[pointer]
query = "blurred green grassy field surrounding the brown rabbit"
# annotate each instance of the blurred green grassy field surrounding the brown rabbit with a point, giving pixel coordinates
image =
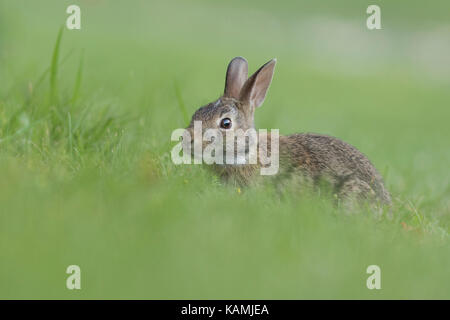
(86, 176)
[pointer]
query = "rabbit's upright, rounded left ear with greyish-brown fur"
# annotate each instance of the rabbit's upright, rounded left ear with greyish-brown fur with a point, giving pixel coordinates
(237, 73)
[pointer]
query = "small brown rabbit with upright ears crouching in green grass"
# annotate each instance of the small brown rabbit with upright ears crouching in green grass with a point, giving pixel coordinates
(307, 158)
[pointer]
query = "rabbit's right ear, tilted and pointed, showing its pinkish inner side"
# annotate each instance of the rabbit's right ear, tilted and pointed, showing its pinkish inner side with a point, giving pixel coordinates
(255, 88)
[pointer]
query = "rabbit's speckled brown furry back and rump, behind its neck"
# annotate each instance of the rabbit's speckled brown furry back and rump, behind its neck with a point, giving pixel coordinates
(324, 157)
